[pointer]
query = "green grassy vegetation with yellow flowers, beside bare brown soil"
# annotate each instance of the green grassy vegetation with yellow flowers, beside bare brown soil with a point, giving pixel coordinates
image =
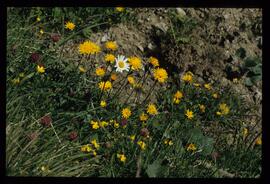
(91, 112)
